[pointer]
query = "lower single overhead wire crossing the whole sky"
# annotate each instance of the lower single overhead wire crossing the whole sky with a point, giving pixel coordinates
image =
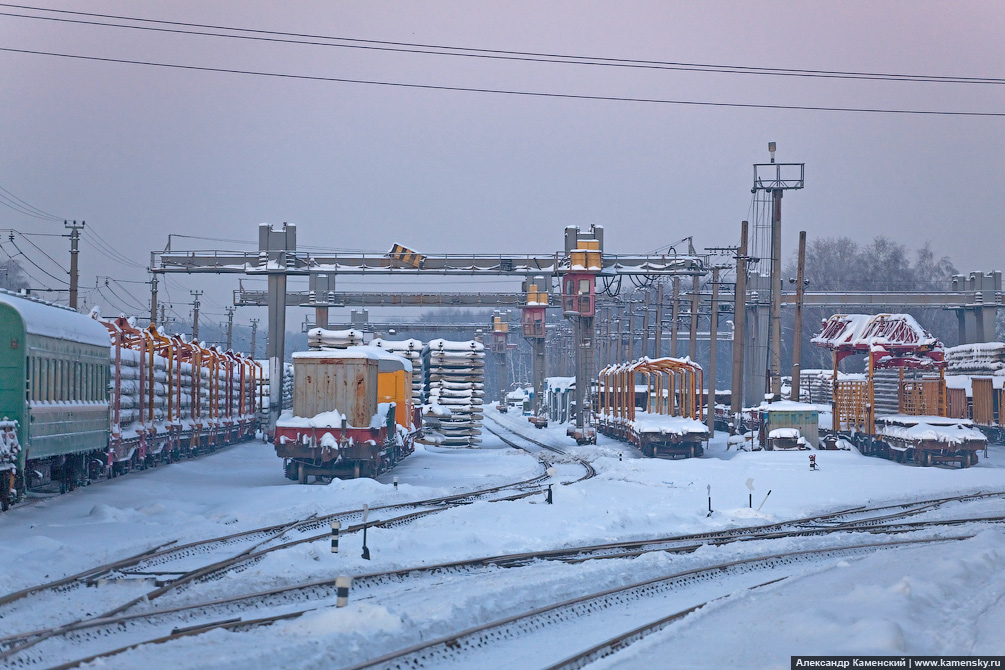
(505, 92)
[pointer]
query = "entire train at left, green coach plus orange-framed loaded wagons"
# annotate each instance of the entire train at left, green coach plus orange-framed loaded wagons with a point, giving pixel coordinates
(87, 399)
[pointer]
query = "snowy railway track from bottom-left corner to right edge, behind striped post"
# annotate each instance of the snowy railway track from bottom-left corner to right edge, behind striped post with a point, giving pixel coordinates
(322, 594)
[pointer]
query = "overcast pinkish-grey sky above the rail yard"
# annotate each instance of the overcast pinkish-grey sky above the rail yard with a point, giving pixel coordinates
(141, 152)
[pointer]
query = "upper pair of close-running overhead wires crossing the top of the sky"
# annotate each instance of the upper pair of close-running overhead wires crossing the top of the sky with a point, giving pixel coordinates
(473, 53)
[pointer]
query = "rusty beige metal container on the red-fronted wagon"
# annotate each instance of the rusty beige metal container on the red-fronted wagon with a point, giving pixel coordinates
(338, 380)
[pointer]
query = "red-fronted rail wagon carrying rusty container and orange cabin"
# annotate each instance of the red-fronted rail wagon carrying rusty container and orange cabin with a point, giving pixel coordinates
(352, 414)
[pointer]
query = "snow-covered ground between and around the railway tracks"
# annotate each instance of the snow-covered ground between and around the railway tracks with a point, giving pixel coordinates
(931, 599)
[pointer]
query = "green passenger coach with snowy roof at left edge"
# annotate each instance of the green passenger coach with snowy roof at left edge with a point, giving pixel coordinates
(55, 383)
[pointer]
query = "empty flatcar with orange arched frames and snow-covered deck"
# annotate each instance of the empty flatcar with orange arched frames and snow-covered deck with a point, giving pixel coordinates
(654, 404)
